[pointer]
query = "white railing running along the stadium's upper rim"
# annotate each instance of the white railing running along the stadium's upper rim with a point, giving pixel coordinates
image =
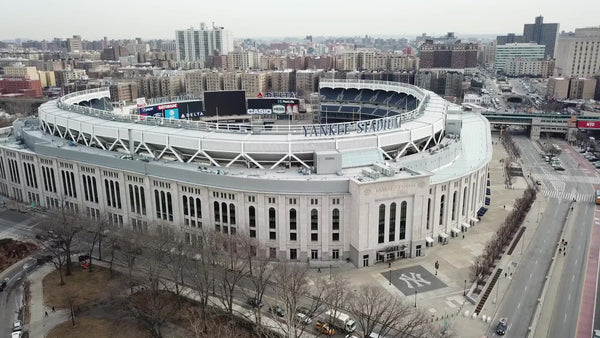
(225, 127)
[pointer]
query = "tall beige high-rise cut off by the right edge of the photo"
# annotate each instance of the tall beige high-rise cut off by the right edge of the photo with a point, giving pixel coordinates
(578, 53)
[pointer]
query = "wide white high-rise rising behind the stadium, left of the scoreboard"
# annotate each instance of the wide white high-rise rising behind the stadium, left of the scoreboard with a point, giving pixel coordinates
(198, 45)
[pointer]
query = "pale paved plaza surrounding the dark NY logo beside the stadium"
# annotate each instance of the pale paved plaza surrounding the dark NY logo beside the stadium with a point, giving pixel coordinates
(455, 259)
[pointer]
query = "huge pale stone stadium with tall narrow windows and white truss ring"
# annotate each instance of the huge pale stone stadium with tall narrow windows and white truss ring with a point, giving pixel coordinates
(390, 170)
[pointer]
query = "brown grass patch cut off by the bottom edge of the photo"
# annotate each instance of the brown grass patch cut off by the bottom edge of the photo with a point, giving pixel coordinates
(91, 327)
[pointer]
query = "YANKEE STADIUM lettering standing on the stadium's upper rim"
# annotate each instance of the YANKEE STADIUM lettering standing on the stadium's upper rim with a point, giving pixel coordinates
(369, 126)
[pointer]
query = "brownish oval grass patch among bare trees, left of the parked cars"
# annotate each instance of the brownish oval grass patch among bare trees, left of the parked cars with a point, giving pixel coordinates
(82, 287)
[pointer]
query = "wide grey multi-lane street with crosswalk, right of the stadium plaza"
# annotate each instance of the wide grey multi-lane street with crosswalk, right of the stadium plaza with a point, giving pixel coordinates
(519, 304)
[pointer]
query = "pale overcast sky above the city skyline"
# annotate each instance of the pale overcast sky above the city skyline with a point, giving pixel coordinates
(148, 19)
